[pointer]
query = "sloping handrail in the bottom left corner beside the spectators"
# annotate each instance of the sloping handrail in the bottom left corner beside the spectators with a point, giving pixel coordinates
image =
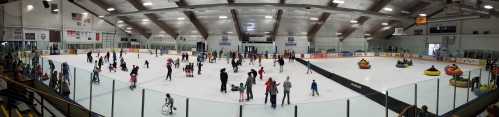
(44, 94)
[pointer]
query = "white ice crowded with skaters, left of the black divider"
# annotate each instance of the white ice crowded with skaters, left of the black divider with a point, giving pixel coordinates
(204, 88)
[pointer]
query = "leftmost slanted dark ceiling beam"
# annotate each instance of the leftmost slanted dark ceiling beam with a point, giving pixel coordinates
(136, 27)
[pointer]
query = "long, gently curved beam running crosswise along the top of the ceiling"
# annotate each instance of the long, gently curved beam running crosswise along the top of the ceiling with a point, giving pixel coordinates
(308, 7)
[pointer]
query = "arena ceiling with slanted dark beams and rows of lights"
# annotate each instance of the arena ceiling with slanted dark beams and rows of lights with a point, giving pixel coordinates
(313, 18)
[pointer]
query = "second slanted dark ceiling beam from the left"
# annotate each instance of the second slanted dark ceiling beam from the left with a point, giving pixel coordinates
(155, 19)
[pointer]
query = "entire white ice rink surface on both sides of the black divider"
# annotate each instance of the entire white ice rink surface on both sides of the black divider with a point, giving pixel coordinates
(203, 90)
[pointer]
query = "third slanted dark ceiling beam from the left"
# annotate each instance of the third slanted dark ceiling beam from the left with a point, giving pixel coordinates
(194, 20)
